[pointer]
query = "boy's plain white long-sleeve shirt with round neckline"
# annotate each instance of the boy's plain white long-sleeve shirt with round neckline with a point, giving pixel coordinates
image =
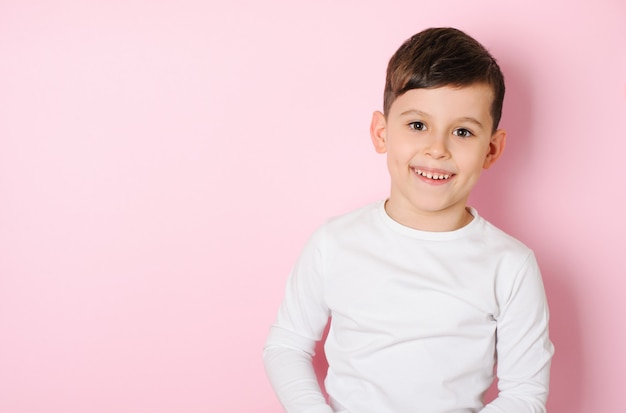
(417, 320)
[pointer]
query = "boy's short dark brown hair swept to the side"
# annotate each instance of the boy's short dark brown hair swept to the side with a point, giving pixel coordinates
(439, 57)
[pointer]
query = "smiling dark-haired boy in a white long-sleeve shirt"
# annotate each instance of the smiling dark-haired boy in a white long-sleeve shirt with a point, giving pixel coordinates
(423, 294)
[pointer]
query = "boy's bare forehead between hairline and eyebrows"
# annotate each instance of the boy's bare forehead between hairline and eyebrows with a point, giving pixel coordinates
(446, 102)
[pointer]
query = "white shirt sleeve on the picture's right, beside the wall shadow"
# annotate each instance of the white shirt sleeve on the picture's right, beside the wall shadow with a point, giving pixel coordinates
(524, 350)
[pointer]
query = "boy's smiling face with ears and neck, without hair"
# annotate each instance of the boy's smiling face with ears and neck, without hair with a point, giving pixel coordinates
(437, 142)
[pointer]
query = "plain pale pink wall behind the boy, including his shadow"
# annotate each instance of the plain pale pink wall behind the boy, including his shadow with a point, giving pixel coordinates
(163, 162)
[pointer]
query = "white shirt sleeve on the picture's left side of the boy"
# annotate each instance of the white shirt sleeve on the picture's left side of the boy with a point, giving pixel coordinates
(300, 323)
